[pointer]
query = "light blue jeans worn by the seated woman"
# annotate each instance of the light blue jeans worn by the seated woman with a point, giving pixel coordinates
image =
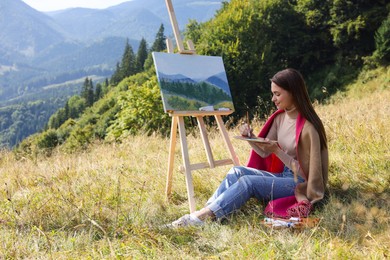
(242, 183)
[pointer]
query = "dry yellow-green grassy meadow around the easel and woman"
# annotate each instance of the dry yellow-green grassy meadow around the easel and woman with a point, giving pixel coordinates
(108, 202)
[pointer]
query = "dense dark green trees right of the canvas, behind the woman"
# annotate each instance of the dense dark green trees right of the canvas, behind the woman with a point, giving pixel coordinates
(328, 41)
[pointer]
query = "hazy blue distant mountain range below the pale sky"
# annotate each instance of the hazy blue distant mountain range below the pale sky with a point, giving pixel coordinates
(39, 49)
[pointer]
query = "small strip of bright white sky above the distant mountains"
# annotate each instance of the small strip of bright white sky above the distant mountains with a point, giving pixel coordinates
(54, 5)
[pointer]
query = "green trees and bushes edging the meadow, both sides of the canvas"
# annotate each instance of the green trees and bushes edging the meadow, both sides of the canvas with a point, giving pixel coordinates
(330, 42)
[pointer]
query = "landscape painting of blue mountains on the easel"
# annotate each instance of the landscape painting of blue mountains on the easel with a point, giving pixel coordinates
(192, 82)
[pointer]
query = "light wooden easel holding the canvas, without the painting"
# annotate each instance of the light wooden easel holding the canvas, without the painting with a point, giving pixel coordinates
(178, 122)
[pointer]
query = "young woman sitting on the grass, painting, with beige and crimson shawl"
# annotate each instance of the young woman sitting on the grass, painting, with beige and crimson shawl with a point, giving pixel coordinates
(294, 168)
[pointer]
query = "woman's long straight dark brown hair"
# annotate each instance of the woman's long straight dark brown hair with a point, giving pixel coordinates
(292, 81)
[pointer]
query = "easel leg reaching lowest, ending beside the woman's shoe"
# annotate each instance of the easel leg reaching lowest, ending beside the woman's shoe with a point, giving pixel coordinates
(184, 150)
